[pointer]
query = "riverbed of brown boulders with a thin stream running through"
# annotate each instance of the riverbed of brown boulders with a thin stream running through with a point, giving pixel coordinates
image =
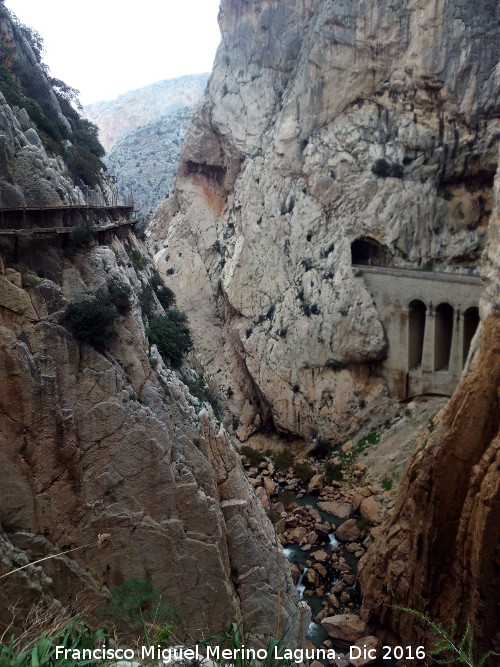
(324, 527)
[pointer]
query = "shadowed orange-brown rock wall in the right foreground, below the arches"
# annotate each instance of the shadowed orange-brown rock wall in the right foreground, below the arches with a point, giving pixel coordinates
(440, 552)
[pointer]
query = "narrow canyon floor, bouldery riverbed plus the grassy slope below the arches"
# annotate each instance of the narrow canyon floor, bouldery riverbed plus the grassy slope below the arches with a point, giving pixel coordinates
(327, 504)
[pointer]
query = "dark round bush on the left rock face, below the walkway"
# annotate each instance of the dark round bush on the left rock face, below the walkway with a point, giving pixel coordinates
(91, 321)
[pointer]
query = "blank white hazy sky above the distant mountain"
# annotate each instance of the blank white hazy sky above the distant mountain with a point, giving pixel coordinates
(106, 47)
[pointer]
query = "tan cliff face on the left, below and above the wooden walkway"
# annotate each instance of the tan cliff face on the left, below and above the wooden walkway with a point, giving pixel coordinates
(111, 441)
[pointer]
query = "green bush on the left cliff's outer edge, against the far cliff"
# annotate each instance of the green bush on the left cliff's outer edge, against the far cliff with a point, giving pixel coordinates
(171, 335)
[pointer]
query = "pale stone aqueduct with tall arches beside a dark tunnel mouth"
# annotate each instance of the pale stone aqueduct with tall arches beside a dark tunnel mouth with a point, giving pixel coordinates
(430, 319)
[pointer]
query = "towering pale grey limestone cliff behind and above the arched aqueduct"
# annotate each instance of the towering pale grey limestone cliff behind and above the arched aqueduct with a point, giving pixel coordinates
(325, 122)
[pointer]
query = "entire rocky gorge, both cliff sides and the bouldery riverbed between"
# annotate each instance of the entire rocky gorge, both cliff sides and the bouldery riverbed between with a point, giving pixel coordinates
(262, 458)
